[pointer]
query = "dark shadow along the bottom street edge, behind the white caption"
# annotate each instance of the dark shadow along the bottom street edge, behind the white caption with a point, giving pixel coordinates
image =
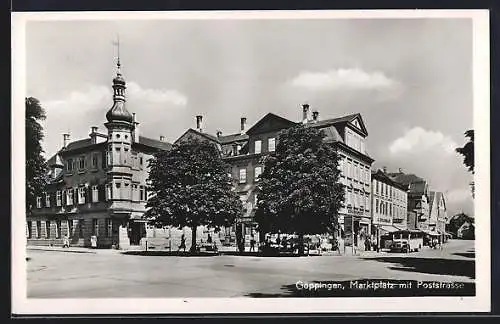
(371, 288)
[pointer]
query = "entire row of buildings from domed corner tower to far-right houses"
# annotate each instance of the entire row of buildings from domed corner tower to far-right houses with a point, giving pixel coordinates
(97, 187)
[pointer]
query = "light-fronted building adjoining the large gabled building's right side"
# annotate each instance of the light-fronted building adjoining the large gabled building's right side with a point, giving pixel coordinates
(389, 204)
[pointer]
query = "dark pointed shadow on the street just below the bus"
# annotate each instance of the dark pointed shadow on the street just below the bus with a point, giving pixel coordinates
(451, 267)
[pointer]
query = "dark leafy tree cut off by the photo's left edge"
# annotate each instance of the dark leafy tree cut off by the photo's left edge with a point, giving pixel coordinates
(36, 166)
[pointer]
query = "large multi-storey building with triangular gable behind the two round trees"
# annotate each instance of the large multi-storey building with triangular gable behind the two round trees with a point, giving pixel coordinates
(243, 152)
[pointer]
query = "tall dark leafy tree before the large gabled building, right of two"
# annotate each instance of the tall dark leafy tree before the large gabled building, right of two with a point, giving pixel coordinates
(299, 190)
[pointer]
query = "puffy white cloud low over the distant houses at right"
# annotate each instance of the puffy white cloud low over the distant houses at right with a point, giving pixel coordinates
(419, 139)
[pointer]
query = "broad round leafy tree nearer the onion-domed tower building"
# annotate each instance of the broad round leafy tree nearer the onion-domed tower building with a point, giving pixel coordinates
(190, 187)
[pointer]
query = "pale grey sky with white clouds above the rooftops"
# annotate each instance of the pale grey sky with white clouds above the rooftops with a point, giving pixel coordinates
(411, 80)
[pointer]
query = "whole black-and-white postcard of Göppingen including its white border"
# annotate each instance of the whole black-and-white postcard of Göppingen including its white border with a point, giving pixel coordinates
(251, 162)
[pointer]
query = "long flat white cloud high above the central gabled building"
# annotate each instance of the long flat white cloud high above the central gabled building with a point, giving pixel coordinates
(340, 79)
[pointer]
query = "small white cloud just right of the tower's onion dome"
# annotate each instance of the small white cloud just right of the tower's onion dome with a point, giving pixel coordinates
(157, 96)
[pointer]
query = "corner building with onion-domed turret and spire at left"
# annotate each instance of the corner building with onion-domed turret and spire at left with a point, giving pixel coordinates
(96, 187)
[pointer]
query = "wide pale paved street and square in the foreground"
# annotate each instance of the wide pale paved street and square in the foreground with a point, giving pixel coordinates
(54, 274)
